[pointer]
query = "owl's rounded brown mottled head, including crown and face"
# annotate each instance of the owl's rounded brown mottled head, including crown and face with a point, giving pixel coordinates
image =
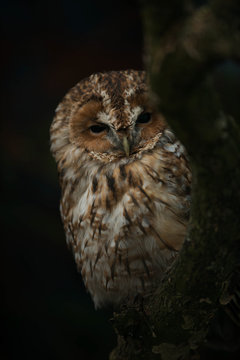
(109, 116)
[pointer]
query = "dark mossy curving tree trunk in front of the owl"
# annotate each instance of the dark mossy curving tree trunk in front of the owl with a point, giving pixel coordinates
(184, 47)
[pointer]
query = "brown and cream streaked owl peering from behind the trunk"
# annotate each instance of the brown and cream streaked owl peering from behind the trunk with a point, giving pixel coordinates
(125, 182)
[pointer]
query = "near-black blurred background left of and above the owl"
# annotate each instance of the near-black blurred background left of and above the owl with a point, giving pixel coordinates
(47, 47)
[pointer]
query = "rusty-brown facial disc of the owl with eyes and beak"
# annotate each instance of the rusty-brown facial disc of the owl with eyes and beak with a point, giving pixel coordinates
(120, 133)
